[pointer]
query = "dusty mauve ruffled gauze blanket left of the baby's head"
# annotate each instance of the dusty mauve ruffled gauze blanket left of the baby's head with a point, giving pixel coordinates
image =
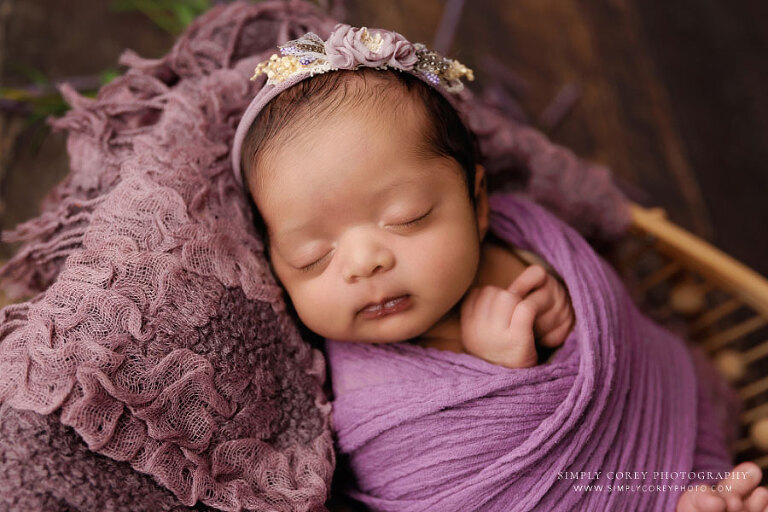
(158, 367)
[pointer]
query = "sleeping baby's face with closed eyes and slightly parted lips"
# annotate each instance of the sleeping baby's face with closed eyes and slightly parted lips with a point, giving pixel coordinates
(355, 216)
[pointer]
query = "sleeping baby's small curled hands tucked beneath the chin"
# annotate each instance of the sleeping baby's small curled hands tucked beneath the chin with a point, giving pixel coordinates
(498, 325)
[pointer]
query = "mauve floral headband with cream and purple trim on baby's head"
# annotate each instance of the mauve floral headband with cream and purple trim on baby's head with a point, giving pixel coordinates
(347, 48)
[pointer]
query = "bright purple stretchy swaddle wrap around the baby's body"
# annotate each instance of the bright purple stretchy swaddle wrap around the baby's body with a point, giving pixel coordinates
(427, 429)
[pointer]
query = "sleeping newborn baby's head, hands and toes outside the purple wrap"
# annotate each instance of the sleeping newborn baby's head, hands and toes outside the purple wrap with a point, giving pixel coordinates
(375, 216)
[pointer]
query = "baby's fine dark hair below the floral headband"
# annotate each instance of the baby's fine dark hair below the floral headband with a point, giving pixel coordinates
(304, 103)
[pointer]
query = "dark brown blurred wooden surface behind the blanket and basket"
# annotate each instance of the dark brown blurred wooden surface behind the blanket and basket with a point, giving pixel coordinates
(672, 93)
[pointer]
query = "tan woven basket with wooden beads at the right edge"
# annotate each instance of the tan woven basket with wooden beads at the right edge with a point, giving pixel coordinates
(715, 301)
